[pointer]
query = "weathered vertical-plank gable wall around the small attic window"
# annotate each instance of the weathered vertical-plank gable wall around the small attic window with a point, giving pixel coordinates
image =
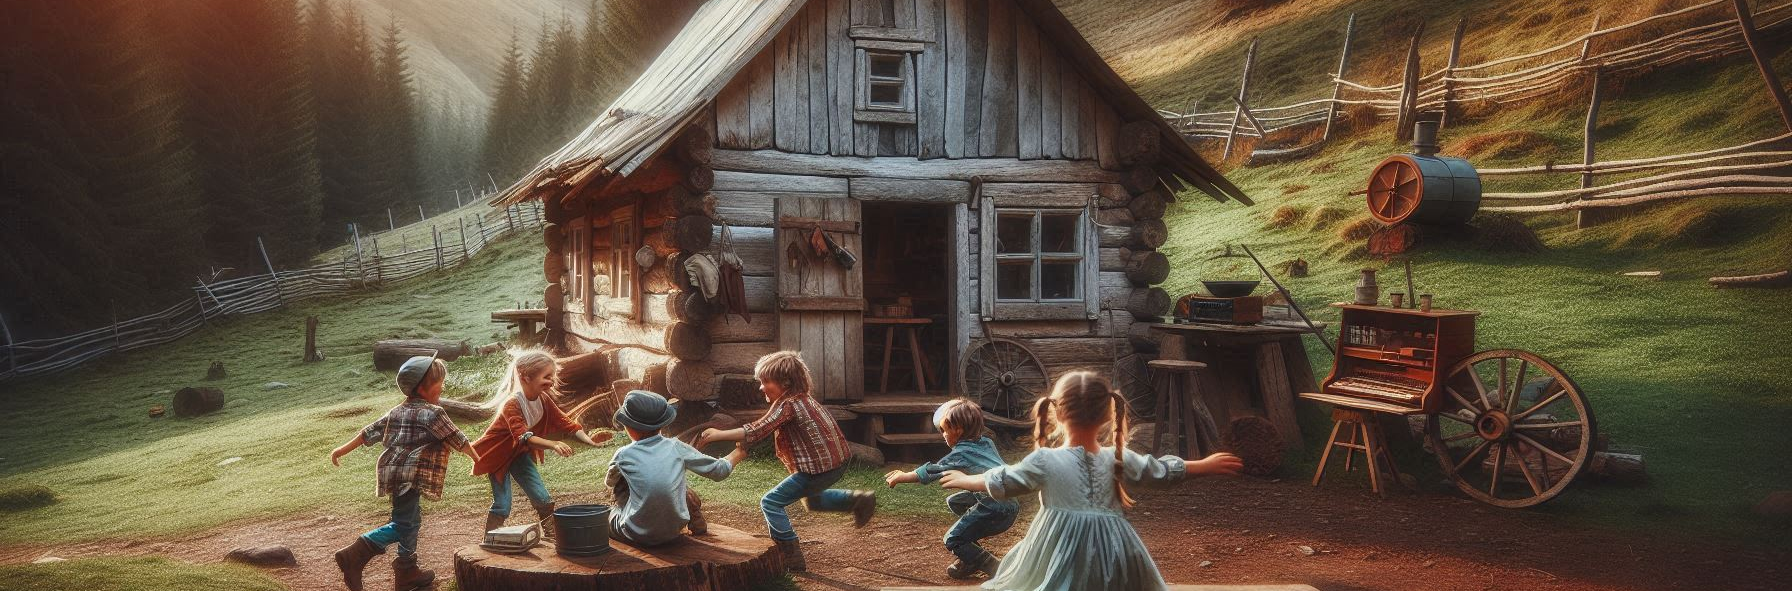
(986, 85)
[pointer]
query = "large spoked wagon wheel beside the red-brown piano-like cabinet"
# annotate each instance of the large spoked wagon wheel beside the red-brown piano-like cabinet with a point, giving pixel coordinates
(1508, 441)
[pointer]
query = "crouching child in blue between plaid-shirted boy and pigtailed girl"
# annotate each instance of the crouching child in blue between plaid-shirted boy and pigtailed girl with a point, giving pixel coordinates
(961, 424)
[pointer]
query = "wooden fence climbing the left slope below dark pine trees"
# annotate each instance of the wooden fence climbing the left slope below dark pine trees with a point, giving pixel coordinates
(361, 270)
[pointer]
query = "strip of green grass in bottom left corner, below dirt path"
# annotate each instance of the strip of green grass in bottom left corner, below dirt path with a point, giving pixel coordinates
(134, 576)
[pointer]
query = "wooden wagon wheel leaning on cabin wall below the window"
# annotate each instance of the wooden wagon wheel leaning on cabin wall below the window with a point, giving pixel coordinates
(1003, 377)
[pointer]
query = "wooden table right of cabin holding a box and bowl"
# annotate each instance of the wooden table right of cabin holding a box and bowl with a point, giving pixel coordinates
(1254, 370)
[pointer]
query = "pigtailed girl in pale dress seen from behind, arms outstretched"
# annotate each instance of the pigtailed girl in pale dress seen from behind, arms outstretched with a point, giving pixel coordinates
(1081, 540)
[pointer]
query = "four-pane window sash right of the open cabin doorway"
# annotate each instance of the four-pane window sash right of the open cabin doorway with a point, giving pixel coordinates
(1038, 255)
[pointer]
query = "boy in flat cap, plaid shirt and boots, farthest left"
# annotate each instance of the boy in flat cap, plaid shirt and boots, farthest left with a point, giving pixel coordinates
(418, 436)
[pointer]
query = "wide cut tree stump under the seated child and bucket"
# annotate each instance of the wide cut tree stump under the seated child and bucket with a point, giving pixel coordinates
(723, 560)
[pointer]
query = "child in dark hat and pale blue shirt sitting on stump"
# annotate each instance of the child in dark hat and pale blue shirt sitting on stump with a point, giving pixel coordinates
(648, 477)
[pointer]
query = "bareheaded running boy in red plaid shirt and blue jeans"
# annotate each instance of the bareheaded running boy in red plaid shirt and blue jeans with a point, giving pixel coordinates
(811, 447)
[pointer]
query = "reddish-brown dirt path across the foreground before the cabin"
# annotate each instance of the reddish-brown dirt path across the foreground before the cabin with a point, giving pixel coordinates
(1250, 531)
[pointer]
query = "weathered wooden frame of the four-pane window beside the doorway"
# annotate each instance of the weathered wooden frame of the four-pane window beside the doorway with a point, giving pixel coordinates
(1087, 302)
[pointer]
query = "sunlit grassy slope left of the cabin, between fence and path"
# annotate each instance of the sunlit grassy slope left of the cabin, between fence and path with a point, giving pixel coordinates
(121, 474)
